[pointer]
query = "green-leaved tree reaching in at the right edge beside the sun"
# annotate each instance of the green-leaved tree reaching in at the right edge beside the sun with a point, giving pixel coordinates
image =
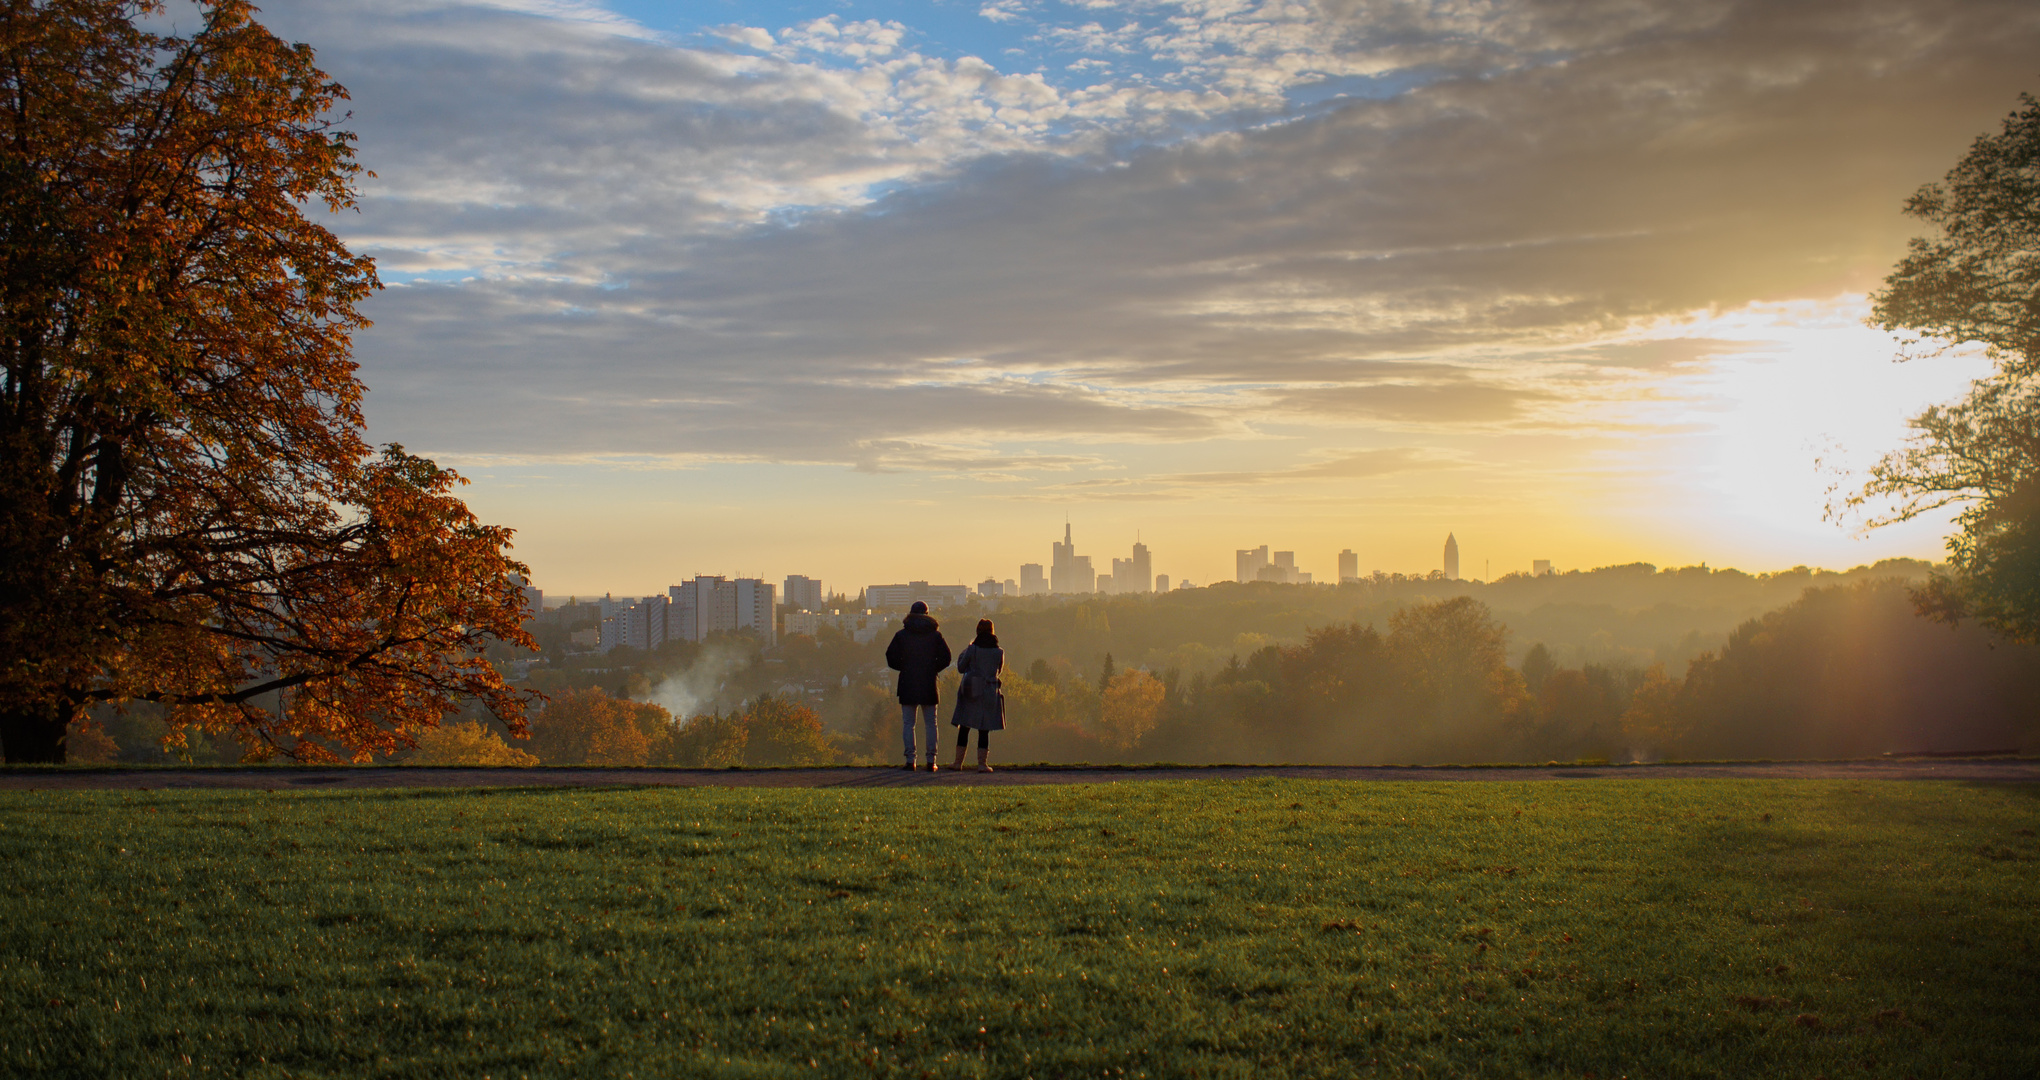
(1978, 283)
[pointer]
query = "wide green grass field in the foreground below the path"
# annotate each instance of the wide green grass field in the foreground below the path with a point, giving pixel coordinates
(1270, 928)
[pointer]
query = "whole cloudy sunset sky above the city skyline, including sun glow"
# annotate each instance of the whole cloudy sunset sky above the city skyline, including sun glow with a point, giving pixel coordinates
(890, 291)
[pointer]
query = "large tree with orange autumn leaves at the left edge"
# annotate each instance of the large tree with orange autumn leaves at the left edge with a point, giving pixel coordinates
(189, 509)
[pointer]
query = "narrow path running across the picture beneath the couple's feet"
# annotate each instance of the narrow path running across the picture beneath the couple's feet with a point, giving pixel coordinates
(2021, 771)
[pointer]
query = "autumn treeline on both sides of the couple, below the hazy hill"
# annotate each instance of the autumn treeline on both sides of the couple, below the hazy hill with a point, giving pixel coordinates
(1845, 671)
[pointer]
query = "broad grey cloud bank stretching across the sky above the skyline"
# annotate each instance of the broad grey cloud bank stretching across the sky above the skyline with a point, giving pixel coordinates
(837, 248)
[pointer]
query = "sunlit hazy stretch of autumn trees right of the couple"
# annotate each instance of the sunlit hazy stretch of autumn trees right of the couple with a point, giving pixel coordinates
(1841, 673)
